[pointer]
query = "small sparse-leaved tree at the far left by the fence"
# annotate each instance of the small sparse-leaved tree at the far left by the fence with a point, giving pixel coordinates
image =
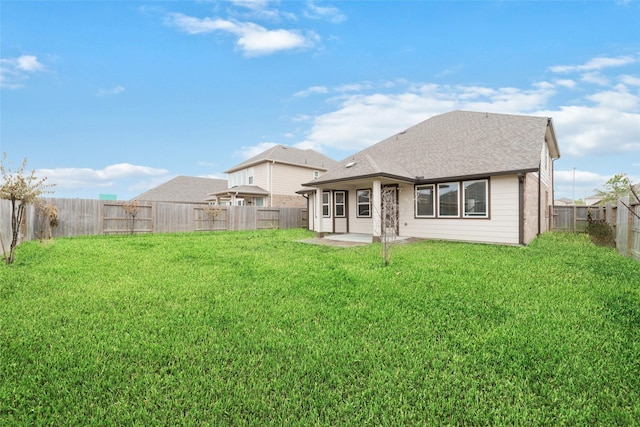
(21, 190)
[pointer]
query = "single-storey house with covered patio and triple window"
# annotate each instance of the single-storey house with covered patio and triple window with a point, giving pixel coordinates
(462, 175)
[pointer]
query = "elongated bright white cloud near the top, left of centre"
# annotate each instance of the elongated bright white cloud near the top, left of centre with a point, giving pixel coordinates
(252, 39)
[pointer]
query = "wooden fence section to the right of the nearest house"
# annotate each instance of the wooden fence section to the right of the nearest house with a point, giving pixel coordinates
(624, 217)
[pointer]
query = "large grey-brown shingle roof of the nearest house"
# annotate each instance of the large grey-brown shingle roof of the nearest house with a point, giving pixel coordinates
(452, 145)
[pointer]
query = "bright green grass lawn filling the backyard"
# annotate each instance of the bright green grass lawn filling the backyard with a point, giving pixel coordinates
(255, 328)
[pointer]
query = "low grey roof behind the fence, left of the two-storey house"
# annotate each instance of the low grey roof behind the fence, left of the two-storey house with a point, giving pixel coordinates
(183, 189)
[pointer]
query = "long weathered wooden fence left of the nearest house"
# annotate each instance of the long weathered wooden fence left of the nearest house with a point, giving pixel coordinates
(77, 217)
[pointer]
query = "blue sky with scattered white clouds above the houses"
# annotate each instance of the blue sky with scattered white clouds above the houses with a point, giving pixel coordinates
(117, 97)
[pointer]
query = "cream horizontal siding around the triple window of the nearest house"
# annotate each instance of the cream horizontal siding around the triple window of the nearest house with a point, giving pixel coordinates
(502, 227)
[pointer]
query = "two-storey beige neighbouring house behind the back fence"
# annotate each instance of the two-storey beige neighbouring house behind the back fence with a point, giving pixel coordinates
(272, 178)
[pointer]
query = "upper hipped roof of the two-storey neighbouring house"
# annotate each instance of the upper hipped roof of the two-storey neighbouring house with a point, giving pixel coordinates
(289, 155)
